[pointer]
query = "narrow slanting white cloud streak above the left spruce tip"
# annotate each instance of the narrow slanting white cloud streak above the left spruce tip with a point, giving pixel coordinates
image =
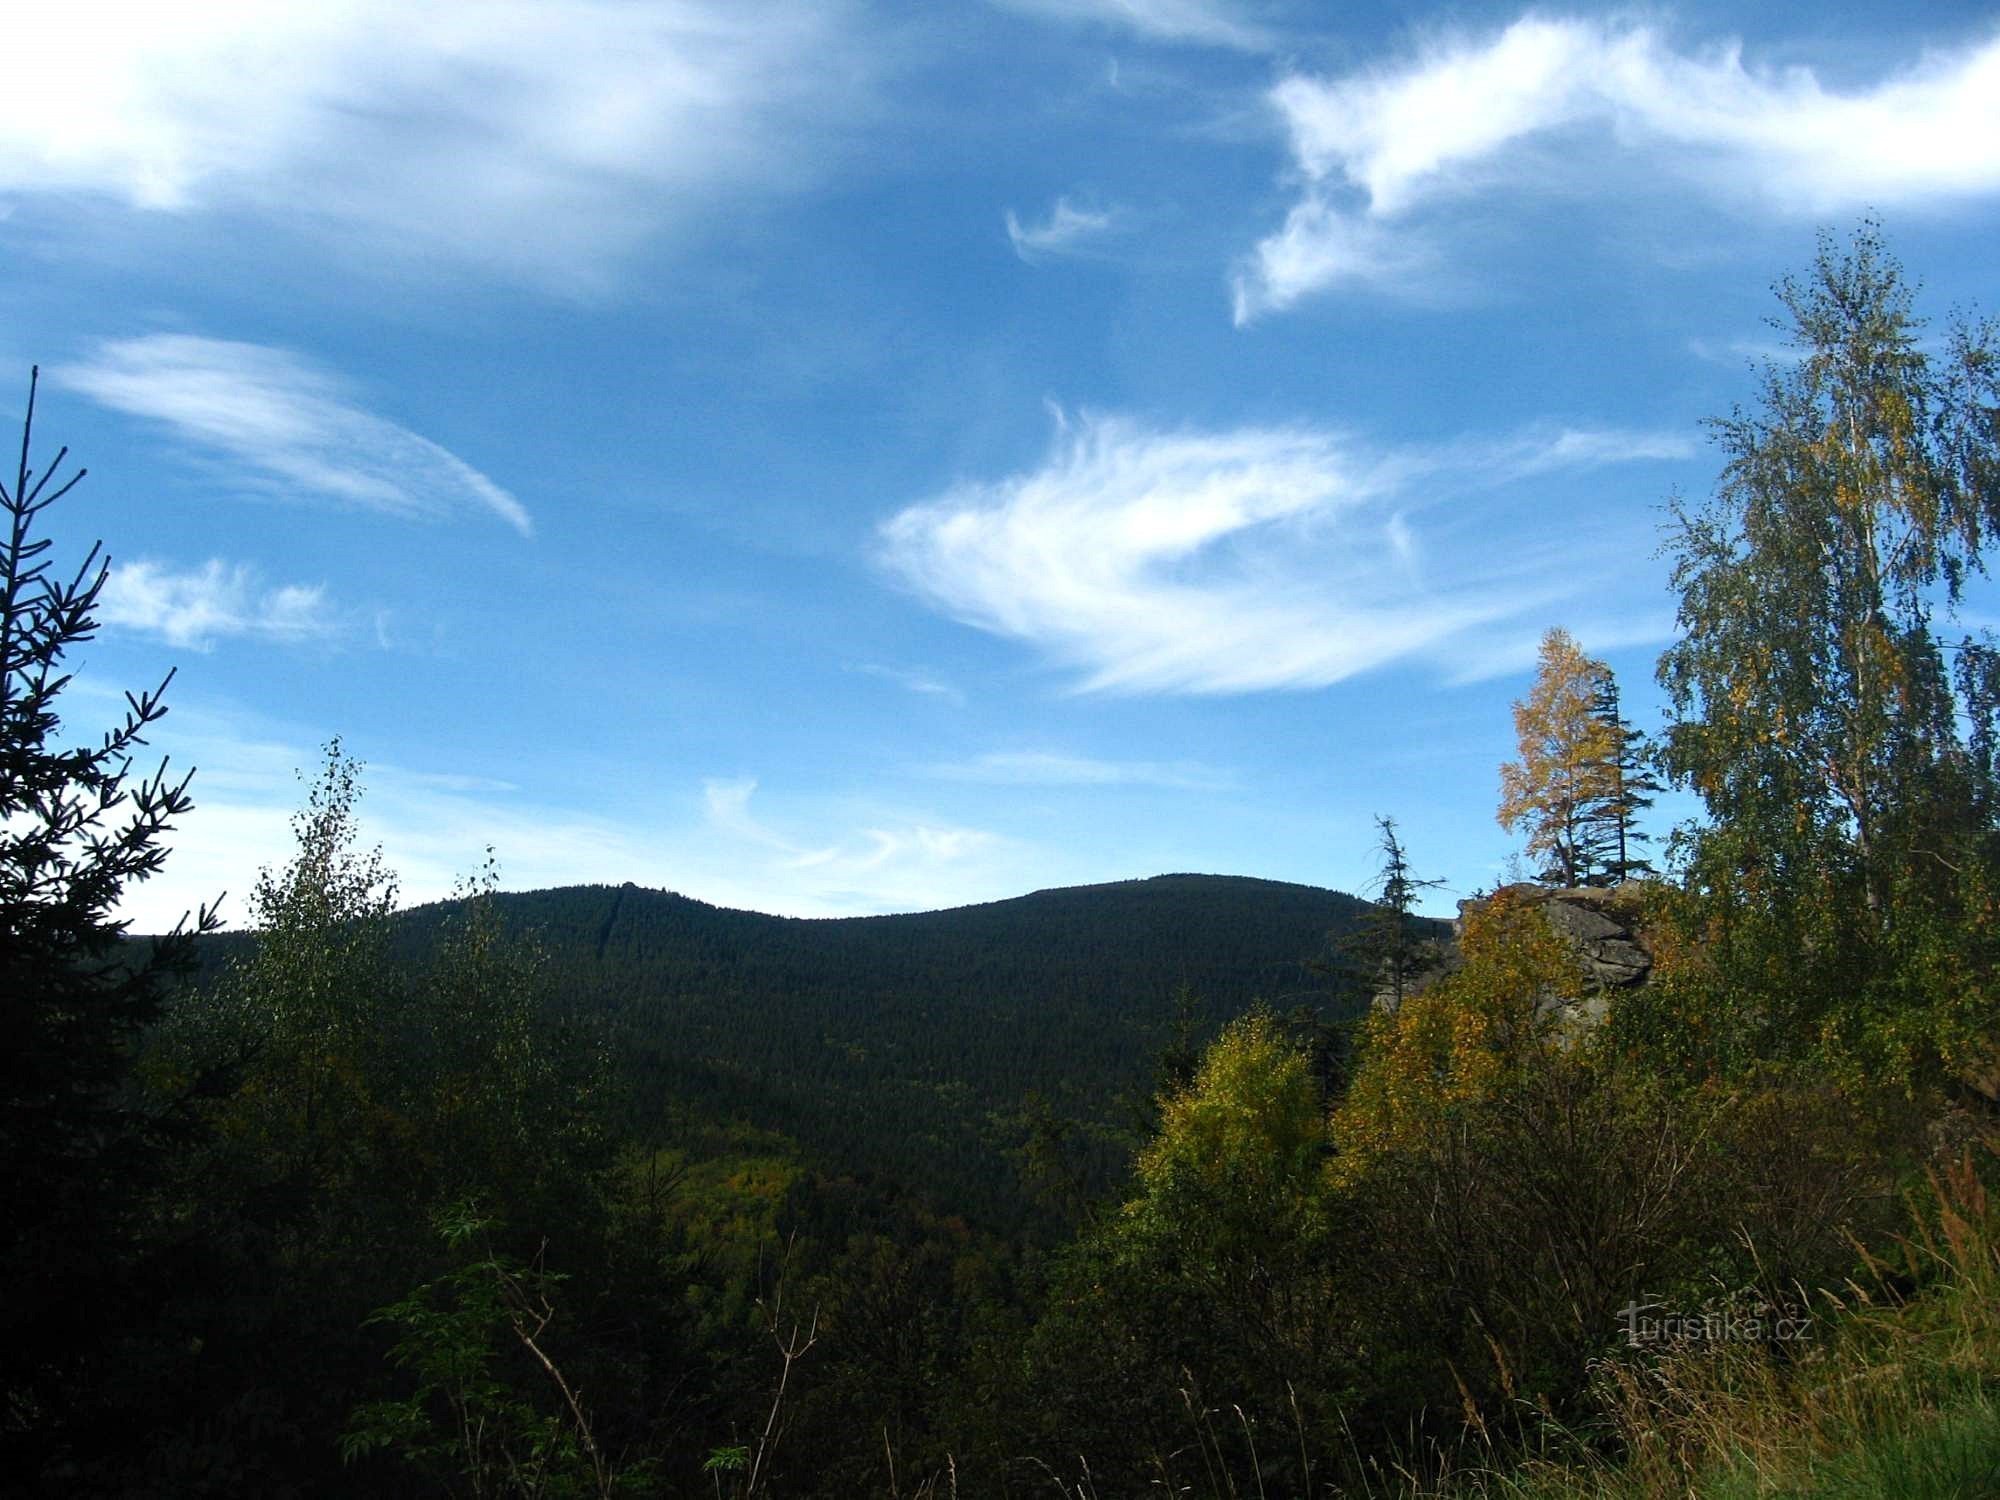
(287, 425)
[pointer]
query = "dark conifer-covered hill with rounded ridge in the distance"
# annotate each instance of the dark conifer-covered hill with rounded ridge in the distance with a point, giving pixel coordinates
(909, 1045)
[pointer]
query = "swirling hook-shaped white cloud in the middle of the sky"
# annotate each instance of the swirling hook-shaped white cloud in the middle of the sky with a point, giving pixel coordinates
(1105, 559)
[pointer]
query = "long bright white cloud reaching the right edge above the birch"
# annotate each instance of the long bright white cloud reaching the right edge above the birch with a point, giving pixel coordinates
(1471, 115)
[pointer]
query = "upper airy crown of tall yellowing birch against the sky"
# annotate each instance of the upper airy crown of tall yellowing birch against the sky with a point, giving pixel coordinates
(1819, 709)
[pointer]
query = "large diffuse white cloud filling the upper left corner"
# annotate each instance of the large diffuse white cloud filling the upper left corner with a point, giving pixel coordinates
(535, 137)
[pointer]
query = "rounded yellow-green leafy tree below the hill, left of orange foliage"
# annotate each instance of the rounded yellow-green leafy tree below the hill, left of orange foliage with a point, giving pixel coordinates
(1217, 1285)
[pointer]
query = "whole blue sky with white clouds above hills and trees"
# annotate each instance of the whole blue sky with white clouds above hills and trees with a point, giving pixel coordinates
(837, 459)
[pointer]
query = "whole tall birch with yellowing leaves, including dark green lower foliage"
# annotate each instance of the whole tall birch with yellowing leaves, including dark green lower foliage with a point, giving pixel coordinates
(1841, 745)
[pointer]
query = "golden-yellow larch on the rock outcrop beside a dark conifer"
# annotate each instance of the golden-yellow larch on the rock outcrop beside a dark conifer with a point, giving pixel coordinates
(1567, 761)
